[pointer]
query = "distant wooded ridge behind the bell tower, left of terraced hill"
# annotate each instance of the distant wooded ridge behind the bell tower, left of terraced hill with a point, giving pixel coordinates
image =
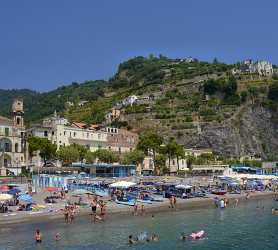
(38, 105)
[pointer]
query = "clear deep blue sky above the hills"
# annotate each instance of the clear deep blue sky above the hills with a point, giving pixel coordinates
(45, 44)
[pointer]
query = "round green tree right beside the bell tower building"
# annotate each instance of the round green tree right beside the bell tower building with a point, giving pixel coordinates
(47, 150)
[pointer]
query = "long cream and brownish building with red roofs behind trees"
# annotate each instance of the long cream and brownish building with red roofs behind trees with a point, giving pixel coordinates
(93, 137)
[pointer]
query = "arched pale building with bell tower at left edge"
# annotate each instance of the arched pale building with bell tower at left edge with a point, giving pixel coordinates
(13, 145)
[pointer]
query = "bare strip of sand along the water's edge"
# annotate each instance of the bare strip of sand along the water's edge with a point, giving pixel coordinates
(115, 211)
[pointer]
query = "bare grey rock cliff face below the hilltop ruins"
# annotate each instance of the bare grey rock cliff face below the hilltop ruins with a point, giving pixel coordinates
(250, 132)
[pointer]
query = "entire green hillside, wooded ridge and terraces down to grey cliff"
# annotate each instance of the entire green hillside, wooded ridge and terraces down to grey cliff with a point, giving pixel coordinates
(199, 103)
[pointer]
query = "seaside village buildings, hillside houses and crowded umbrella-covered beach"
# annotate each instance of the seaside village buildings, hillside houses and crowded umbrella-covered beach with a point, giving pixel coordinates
(33, 183)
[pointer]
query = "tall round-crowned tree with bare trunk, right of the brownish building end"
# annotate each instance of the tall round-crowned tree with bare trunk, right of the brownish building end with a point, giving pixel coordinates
(150, 141)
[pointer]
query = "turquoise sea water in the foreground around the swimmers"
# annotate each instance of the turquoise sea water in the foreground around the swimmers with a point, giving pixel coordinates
(245, 227)
